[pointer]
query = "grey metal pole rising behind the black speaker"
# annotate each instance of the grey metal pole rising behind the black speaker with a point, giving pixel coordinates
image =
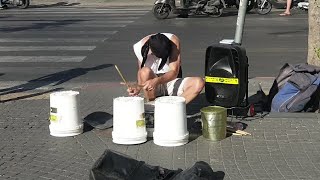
(240, 21)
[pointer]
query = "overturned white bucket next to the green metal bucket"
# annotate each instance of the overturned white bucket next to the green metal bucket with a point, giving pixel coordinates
(170, 121)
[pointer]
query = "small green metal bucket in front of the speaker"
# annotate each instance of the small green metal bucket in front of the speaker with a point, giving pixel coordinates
(214, 122)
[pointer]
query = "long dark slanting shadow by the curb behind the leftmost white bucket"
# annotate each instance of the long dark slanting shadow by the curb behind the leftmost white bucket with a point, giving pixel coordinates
(52, 79)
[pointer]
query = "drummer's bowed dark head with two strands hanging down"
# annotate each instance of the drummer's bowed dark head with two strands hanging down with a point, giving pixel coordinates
(160, 46)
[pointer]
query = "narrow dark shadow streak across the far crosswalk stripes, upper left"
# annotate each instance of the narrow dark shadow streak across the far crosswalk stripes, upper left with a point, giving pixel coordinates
(39, 26)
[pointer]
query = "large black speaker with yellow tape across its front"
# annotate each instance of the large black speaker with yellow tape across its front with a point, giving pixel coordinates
(226, 75)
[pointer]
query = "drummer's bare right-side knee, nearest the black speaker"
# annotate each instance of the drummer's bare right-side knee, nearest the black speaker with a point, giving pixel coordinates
(192, 87)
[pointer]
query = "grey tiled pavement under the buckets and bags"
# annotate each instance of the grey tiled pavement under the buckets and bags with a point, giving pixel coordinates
(282, 146)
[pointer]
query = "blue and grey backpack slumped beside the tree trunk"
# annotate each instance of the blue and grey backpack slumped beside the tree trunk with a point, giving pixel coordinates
(296, 89)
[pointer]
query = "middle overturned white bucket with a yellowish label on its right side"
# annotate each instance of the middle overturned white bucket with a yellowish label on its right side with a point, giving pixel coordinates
(129, 125)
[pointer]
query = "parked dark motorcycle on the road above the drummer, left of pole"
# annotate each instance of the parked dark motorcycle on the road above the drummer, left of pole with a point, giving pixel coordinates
(212, 8)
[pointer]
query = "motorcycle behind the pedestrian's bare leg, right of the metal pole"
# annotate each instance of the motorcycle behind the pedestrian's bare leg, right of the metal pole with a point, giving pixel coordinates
(264, 6)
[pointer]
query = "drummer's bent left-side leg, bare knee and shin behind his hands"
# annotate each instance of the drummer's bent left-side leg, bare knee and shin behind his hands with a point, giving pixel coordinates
(144, 75)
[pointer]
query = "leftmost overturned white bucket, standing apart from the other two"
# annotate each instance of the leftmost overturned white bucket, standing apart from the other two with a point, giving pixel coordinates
(64, 114)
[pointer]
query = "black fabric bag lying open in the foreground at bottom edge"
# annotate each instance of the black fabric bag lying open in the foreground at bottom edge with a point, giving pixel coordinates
(116, 166)
